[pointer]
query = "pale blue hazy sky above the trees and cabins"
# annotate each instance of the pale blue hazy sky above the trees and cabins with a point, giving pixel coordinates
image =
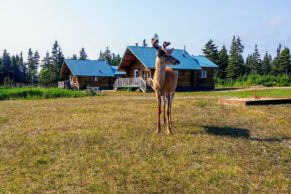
(95, 24)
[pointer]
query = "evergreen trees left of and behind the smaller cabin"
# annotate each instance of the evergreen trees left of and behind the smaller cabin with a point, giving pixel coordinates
(13, 69)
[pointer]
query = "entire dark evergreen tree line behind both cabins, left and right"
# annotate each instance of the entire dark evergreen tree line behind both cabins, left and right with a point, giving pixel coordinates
(232, 65)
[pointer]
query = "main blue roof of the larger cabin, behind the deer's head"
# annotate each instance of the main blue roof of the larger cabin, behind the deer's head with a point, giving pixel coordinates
(147, 56)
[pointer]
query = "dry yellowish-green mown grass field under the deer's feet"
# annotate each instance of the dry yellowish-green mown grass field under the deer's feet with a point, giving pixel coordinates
(106, 144)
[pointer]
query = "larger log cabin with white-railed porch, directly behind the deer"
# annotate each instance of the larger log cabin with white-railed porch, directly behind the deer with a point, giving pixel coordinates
(194, 72)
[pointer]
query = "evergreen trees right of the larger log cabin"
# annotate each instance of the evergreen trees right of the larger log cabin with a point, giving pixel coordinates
(233, 66)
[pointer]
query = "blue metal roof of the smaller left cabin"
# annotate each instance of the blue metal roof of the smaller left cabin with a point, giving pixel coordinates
(94, 68)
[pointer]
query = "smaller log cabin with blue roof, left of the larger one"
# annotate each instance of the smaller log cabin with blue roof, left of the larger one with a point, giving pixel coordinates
(84, 74)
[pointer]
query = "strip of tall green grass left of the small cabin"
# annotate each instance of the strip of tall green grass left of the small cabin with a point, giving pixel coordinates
(39, 93)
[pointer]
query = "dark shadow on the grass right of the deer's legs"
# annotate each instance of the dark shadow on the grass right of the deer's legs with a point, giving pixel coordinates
(239, 133)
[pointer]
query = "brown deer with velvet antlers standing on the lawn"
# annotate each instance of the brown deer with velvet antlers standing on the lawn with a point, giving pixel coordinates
(164, 82)
